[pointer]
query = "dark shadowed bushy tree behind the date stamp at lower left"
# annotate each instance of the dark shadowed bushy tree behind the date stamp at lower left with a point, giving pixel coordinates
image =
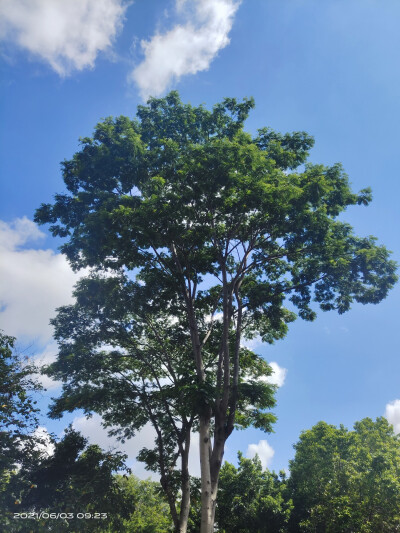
(76, 478)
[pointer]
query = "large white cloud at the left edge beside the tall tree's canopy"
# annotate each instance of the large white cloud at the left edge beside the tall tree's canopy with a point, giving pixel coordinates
(33, 283)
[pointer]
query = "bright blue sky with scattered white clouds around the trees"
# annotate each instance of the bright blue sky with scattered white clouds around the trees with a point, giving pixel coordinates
(329, 68)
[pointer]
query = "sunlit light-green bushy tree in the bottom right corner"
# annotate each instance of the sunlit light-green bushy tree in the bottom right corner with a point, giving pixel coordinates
(343, 481)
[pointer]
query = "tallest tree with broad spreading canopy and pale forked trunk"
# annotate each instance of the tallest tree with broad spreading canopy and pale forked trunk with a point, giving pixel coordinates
(214, 220)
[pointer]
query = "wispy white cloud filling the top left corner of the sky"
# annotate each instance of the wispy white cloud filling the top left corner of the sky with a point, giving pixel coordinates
(67, 34)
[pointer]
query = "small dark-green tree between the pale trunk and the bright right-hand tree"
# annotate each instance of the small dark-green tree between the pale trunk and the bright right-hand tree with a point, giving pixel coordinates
(251, 500)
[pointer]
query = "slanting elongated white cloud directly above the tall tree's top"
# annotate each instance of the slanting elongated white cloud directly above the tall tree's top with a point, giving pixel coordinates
(187, 48)
